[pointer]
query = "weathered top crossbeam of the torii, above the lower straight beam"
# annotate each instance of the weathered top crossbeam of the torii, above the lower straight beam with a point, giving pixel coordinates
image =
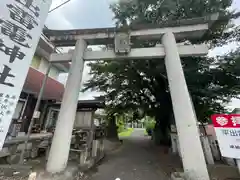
(180, 28)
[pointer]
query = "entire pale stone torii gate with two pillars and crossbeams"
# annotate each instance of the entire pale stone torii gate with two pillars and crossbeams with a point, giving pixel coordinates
(190, 146)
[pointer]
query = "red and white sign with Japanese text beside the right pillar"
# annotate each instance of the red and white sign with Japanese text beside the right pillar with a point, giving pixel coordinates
(227, 128)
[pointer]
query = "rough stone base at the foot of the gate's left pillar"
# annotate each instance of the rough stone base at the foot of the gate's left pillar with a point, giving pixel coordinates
(69, 174)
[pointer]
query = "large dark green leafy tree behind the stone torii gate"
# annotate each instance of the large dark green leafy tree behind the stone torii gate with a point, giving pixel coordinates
(132, 85)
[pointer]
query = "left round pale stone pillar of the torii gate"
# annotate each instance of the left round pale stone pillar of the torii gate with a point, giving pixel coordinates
(59, 152)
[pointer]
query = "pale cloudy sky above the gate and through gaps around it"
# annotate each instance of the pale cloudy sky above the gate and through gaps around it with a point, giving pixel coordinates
(96, 14)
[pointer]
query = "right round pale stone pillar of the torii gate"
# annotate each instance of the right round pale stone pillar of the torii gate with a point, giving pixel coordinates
(190, 145)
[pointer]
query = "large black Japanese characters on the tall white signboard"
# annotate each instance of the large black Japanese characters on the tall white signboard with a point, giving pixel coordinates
(18, 29)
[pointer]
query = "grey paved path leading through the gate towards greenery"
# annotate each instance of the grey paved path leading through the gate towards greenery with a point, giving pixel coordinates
(133, 161)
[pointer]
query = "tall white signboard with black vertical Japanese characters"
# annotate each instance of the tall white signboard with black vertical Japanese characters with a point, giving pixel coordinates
(21, 24)
